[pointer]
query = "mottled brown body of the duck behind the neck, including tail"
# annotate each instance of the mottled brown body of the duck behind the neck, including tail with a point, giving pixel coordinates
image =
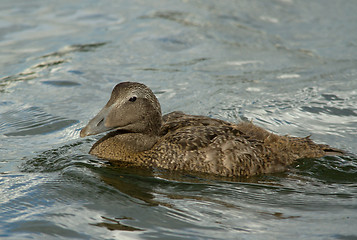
(202, 144)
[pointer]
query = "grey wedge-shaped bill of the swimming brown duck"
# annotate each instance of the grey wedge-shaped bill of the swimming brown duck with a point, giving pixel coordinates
(97, 124)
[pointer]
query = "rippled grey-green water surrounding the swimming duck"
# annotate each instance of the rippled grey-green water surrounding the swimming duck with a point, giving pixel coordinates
(289, 65)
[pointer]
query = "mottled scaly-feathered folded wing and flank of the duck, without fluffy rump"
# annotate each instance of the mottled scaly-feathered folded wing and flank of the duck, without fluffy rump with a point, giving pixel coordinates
(202, 144)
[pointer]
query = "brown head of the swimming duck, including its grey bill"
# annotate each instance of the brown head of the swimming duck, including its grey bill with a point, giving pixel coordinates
(132, 108)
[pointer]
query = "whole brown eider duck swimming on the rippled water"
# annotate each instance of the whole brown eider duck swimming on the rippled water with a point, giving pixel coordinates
(141, 136)
